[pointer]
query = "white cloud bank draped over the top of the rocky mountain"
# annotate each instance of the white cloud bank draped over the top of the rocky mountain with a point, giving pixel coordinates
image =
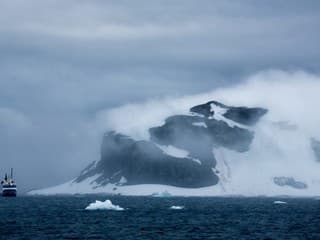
(289, 97)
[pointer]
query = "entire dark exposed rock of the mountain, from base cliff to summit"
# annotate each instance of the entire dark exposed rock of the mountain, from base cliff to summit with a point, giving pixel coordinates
(127, 161)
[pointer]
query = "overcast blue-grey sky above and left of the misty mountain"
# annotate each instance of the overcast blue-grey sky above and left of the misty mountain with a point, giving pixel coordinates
(62, 63)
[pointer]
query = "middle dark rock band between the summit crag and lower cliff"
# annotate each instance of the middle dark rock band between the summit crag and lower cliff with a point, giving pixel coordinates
(182, 132)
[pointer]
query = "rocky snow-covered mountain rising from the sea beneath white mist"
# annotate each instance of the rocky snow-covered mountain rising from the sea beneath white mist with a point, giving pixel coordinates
(213, 149)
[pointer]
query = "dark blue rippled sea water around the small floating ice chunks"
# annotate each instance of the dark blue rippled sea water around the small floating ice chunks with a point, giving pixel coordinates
(150, 218)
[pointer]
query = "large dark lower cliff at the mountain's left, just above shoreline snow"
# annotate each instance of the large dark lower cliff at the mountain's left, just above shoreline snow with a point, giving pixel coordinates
(143, 162)
